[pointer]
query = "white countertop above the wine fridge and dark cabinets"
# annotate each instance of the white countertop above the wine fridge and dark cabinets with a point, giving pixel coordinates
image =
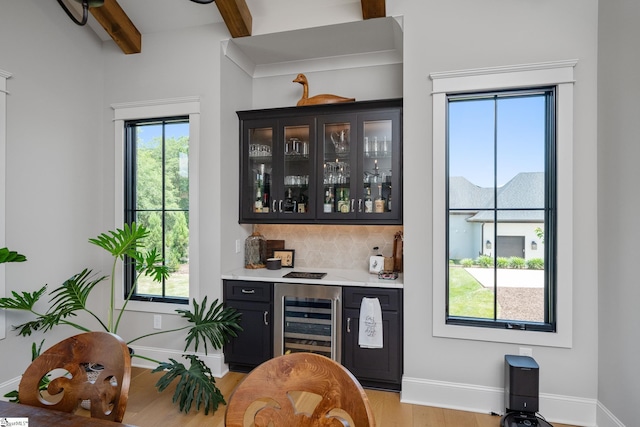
(335, 277)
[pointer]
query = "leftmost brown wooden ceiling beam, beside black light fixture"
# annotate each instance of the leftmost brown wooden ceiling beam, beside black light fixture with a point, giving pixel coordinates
(118, 25)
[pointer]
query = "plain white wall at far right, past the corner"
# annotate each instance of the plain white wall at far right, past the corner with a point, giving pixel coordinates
(618, 231)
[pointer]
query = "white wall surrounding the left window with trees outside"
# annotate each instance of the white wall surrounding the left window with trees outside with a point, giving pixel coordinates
(173, 65)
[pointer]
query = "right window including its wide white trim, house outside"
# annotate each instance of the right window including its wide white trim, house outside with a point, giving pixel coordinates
(502, 186)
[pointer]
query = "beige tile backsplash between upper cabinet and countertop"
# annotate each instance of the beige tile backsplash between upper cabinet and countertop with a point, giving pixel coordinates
(333, 246)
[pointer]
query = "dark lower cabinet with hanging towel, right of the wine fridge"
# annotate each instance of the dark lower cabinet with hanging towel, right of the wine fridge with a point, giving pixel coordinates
(374, 367)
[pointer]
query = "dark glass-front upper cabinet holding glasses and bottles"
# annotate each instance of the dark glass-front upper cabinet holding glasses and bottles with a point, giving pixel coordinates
(336, 164)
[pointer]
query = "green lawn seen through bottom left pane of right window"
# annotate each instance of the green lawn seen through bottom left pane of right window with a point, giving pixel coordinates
(467, 297)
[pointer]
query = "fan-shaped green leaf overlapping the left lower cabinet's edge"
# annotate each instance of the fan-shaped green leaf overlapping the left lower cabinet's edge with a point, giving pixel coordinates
(215, 327)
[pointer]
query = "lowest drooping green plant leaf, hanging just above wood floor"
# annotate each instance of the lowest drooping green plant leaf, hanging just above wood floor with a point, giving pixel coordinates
(195, 384)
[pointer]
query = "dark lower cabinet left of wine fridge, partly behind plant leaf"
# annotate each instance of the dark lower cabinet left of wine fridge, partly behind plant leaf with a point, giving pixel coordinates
(254, 344)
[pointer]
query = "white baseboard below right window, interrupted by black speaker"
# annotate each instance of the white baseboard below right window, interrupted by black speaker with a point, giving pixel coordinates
(473, 398)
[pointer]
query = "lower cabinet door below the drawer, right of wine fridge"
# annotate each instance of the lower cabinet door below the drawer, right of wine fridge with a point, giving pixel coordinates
(374, 367)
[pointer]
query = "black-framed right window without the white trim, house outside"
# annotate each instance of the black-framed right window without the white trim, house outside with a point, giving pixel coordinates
(501, 209)
